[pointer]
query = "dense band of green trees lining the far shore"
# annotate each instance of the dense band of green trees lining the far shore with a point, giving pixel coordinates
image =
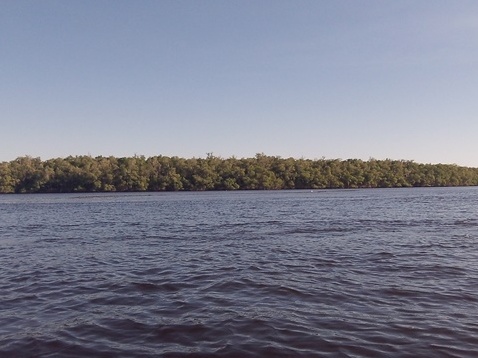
(161, 173)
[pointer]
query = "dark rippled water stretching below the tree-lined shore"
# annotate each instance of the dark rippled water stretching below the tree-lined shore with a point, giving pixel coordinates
(359, 273)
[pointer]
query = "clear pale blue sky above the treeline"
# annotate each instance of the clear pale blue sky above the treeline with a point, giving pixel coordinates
(336, 79)
